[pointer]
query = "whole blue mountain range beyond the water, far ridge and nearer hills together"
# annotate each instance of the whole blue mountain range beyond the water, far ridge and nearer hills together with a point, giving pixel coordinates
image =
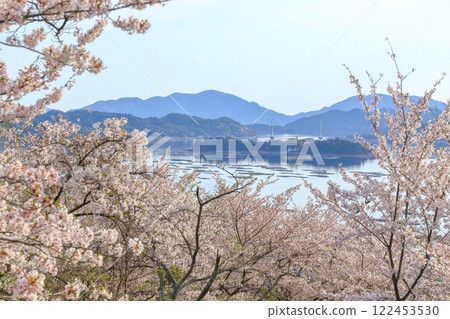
(219, 114)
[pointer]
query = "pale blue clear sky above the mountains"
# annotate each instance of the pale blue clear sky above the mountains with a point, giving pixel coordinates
(286, 55)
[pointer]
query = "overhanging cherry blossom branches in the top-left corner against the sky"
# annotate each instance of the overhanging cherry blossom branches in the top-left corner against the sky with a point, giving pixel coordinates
(56, 33)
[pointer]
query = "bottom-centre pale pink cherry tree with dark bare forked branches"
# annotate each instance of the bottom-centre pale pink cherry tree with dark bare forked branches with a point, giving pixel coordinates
(229, 244)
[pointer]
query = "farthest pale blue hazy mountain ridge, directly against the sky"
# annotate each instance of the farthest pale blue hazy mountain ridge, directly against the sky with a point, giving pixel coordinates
(214, 104)
